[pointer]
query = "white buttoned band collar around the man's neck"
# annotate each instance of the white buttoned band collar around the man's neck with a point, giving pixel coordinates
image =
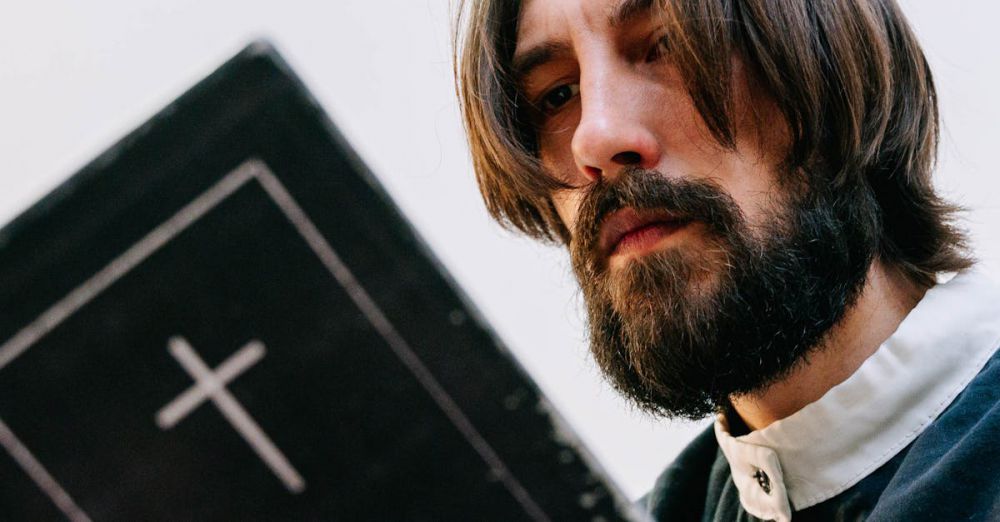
(858, 425)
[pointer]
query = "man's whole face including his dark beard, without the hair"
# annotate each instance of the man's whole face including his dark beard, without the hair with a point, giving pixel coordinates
(699, 263)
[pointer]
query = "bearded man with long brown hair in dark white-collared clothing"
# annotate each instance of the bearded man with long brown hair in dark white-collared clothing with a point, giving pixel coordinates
(744, 187)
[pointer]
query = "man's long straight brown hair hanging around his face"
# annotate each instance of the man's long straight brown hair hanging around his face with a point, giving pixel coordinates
(848, 76)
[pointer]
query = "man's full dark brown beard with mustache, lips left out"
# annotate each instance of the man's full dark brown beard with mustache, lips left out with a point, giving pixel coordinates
(681, 330)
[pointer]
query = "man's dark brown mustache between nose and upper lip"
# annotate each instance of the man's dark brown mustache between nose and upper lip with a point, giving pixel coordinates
(684, 198)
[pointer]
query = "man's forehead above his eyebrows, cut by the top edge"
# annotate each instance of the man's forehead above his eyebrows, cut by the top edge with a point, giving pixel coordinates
(545, 20)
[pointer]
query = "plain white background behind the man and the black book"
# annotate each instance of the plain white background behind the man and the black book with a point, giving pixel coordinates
(77, 76)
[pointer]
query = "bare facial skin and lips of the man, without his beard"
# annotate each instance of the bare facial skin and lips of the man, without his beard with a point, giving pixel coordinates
(609, 97)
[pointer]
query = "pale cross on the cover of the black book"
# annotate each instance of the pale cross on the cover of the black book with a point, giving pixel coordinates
(212, 385)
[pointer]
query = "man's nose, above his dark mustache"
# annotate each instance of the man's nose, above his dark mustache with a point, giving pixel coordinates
(614, 130)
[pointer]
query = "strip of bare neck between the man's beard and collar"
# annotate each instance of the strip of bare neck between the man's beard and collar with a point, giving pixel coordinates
(885, 300)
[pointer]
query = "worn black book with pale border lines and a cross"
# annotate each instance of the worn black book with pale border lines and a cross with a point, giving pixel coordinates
(225, 317)
